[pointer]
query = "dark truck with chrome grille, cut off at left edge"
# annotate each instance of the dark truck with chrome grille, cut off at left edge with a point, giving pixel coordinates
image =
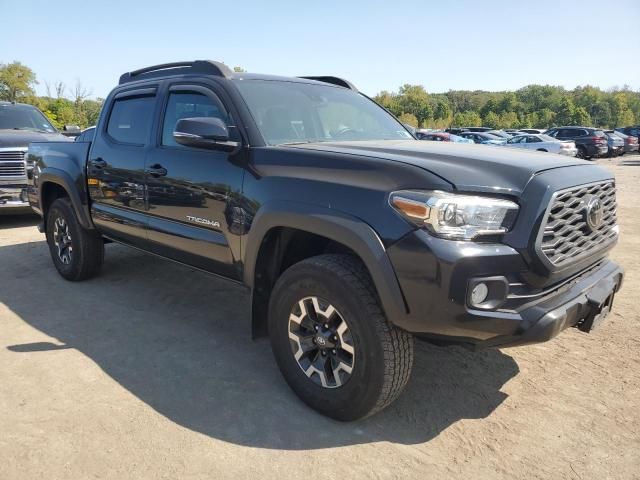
(20, 124)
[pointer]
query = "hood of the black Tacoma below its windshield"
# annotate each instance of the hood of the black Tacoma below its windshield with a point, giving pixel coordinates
(467, 167)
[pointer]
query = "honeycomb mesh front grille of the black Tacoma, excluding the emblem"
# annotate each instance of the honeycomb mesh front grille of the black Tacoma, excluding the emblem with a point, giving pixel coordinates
(566, 236)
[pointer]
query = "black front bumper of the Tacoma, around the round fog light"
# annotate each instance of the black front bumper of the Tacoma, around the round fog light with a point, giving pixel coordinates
(434, 277)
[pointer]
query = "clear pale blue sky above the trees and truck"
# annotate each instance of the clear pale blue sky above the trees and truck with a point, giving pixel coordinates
(378, 45)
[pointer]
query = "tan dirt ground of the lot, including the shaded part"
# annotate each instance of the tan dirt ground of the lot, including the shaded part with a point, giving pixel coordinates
(148, 372)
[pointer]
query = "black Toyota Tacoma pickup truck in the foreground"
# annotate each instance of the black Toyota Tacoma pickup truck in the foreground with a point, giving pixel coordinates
(352, 236)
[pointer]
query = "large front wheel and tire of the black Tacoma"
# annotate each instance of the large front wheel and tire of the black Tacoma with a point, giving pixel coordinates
(331, 339)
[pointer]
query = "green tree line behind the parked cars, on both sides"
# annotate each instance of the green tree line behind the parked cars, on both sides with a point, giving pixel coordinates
(533, 106)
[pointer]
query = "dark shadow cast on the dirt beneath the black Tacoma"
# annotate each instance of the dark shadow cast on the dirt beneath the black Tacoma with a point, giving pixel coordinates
(179, 340)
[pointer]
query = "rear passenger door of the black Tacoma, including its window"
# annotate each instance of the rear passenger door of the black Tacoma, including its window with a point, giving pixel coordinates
(115, 168)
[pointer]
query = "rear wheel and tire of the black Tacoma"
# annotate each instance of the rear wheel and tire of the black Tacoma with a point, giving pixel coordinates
(77, 253)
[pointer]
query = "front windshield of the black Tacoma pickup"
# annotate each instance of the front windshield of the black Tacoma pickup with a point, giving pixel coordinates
(296, 112)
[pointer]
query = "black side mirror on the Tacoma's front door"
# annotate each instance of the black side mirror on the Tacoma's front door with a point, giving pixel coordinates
(204, 132)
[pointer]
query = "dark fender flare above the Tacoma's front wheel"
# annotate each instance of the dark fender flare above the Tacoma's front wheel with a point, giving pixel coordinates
(350, 231)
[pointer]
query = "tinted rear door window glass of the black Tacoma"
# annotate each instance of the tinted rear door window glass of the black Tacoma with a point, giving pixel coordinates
(130, 120)
